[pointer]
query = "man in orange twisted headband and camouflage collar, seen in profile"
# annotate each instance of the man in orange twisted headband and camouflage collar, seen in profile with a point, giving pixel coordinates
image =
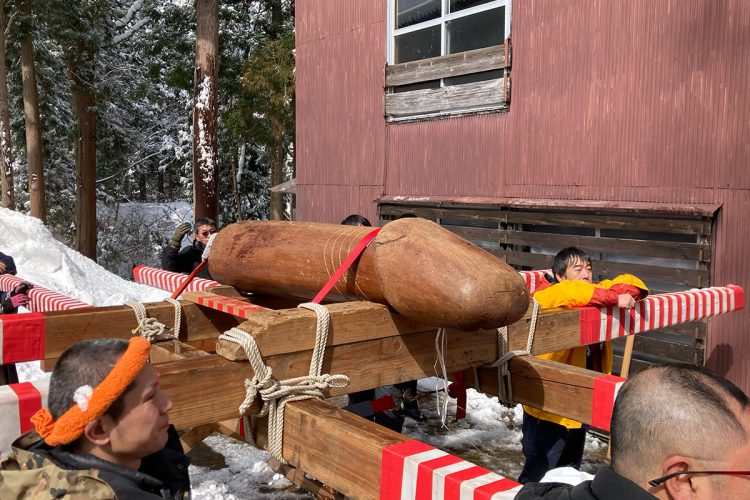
(106, 433)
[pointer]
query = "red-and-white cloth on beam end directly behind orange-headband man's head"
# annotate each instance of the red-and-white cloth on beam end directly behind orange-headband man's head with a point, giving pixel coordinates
(18, 402)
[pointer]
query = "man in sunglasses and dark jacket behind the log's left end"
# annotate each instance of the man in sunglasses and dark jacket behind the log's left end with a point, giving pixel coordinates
(187, 259)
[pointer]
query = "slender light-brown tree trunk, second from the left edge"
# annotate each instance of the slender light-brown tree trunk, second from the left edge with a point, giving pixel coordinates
(33, 127)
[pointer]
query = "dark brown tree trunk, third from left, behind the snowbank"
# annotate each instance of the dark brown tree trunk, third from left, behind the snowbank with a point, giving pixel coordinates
(83, 111)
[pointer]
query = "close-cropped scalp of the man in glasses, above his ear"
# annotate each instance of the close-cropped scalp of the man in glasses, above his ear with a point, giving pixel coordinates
(674, 410)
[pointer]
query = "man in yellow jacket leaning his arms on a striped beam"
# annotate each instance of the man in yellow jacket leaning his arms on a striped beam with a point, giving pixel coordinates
(550, 440)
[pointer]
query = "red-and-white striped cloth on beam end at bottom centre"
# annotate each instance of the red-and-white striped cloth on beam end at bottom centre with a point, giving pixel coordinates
(413, 470)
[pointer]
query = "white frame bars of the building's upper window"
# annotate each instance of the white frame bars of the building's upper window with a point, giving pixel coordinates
(441, 20)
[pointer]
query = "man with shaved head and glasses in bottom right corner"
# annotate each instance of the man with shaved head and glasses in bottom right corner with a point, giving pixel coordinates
(678, 432)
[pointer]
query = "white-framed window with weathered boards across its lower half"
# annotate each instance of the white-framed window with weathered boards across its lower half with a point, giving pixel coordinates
(435, 44)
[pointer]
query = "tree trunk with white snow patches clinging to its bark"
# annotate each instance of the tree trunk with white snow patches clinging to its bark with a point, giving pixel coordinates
(205, 158)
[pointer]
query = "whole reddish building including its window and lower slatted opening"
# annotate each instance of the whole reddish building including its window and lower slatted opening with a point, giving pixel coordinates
(622, 126)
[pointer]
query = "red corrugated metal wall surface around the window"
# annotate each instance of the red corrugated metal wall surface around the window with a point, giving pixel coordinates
(617, 100)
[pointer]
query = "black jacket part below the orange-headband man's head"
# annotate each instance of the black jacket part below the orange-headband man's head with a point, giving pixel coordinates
(163, 474)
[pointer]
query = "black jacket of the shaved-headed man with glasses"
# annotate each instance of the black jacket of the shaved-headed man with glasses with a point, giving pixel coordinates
(606, 485)
